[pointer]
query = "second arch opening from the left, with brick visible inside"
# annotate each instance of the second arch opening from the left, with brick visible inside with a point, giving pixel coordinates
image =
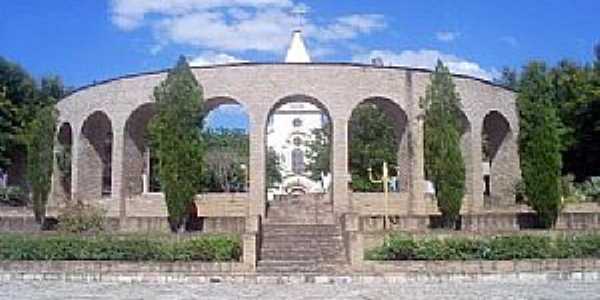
(94, 162)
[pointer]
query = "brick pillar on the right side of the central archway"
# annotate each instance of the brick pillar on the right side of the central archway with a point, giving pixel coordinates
(341, 176)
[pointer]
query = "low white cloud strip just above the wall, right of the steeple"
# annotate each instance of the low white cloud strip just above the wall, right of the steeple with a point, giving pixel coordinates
(427, 59)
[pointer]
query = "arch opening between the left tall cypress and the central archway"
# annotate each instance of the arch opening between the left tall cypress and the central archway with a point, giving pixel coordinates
(233, 176)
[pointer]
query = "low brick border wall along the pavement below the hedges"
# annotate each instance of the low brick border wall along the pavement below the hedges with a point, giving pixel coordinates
(369, 273)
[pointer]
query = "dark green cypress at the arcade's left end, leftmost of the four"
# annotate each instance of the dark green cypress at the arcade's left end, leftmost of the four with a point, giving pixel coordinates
(40, 136)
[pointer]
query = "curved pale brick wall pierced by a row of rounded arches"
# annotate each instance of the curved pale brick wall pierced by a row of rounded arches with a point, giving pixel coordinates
(338, 88)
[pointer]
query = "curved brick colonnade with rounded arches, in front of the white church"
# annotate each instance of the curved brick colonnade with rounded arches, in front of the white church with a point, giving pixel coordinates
(108, 121)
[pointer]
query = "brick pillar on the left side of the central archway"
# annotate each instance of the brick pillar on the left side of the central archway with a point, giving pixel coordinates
(257, 164)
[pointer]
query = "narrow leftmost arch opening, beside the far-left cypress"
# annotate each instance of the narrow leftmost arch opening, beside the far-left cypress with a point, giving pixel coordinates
(63, 154)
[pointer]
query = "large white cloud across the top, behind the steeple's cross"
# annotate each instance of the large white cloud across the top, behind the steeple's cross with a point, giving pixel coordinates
(234, 25)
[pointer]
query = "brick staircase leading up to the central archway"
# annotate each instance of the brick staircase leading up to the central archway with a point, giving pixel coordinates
(299, 236)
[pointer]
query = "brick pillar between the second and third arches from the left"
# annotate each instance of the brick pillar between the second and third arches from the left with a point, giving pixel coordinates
(118, 149)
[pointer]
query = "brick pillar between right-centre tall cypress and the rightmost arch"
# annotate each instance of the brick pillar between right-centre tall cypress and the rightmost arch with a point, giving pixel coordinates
(476, 178)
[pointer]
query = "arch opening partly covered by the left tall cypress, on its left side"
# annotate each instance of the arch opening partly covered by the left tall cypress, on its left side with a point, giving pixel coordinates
(136, 155)
